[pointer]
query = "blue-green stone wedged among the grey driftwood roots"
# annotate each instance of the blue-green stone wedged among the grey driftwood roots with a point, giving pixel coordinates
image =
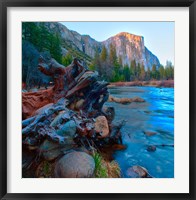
(67, 129)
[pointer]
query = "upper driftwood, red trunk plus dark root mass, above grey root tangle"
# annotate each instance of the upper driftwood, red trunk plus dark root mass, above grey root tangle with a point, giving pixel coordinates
(68, 81)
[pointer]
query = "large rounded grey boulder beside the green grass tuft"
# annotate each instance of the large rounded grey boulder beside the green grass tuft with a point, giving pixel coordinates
(75, 165)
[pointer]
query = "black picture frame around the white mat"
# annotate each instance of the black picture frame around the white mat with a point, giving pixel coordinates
(96, 3)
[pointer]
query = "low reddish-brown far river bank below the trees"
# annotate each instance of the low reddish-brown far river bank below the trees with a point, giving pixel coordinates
(154, 83)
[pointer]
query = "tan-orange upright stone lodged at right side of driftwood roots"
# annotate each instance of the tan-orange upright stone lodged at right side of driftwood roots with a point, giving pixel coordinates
(101, 126)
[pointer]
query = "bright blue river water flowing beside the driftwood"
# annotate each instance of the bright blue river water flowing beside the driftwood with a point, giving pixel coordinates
(157, 115)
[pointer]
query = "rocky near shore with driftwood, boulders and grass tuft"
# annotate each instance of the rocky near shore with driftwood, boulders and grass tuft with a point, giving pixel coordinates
(66, 129)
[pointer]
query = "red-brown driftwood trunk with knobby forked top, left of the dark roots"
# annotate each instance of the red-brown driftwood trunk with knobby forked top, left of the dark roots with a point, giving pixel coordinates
(65, 78)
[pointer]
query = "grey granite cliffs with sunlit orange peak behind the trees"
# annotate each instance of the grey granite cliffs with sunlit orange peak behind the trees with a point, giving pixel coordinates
(128, 46)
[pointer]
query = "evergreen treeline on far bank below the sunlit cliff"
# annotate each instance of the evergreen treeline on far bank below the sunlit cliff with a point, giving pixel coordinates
(111, 68)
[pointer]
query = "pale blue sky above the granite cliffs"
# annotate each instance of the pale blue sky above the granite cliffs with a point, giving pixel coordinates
(158, 36)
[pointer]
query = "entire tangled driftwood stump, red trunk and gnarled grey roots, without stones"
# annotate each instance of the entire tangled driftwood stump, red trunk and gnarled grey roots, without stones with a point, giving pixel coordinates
(46, 112)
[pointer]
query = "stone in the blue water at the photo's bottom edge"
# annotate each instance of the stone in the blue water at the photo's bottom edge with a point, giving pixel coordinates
(137, 172)
